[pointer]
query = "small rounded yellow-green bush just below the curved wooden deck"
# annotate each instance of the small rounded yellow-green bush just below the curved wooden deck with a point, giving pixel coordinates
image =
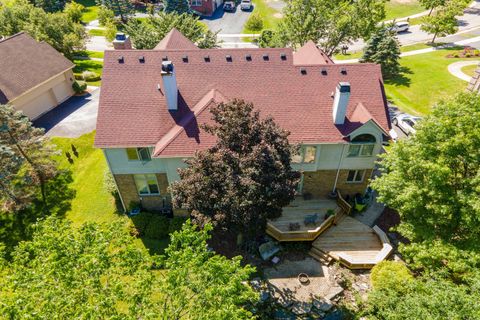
(390, 274)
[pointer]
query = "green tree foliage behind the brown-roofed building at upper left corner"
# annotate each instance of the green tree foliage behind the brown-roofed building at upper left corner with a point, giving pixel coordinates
(57, 29)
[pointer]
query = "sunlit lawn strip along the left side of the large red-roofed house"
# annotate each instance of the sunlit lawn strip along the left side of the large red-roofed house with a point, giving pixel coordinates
(93, 201)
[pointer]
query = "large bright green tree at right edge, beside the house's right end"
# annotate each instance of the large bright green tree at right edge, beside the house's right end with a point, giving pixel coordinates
(432, 178)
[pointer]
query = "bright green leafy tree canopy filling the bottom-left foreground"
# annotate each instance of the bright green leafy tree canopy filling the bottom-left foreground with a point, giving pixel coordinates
(98, 271)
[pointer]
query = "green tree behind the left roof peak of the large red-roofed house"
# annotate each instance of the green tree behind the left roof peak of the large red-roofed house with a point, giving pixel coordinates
(147, 34)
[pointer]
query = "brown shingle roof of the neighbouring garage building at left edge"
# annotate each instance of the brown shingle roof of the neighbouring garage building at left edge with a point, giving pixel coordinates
(26, 63)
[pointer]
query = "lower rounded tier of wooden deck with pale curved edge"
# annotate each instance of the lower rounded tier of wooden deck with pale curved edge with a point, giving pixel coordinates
(353, 243)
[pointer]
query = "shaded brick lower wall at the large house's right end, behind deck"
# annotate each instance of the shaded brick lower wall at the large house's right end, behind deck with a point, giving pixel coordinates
(320, 183)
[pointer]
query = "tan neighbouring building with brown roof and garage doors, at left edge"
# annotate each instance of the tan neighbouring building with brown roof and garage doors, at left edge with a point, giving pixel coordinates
(34, 77)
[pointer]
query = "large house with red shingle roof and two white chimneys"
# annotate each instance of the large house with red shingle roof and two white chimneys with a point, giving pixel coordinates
(153, 102)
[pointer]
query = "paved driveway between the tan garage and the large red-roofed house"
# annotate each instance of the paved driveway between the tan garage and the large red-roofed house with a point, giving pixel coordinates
(72, 118)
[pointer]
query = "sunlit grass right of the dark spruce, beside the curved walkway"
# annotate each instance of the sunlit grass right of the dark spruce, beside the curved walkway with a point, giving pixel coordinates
(425, 81)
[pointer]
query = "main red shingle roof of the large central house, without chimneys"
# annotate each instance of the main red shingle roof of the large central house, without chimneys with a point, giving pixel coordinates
(133, 112)
